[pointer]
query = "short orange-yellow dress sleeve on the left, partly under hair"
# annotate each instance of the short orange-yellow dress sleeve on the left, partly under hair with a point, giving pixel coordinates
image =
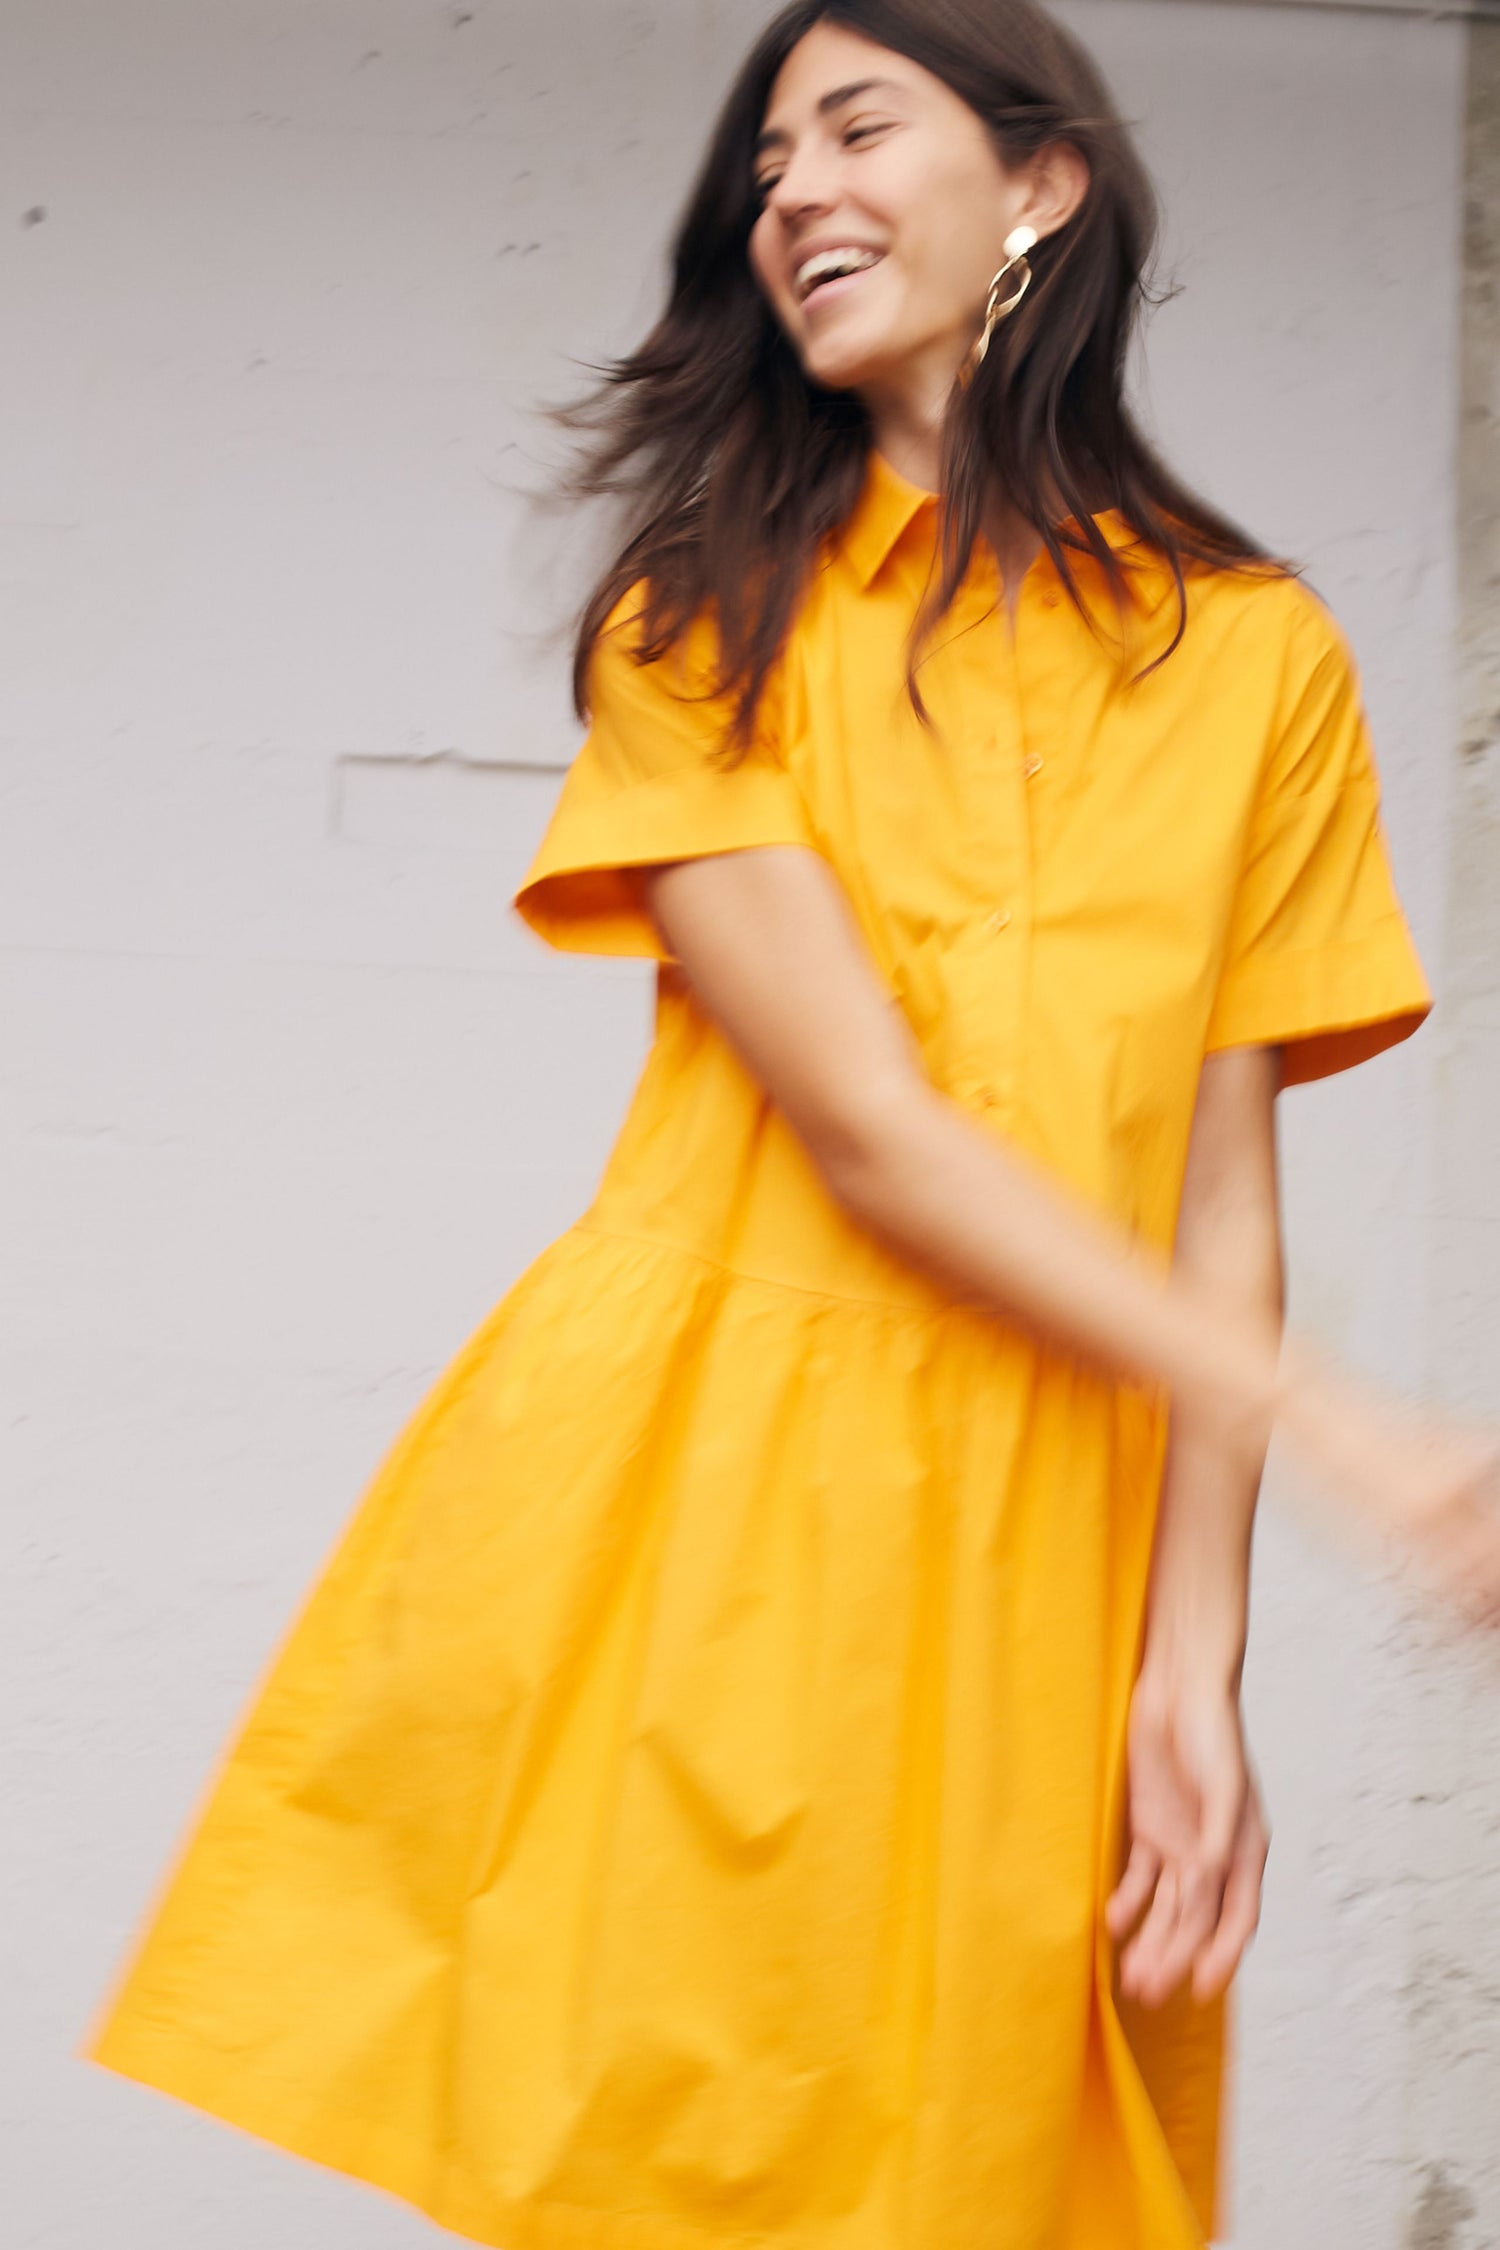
(644, 789)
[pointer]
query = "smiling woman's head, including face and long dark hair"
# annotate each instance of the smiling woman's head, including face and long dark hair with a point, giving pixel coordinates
(921, 136)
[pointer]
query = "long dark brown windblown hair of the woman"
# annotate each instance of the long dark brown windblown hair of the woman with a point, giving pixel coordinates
(737, 467)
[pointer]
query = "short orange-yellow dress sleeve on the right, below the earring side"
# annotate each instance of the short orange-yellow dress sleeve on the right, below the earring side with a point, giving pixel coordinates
(1319, 953)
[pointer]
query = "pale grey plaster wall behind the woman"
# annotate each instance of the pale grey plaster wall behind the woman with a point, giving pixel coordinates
(287, 1095)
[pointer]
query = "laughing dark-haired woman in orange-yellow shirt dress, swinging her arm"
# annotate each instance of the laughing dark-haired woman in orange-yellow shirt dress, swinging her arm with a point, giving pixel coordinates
(766, 1758)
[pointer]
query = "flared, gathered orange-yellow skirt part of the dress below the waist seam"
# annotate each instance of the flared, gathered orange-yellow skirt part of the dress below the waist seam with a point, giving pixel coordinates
(683, 1810)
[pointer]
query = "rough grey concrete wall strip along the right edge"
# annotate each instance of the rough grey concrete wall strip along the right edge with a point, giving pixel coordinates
(1454, 1965)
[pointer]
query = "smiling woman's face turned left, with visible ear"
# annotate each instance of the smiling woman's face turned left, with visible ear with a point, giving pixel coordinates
(869, 152)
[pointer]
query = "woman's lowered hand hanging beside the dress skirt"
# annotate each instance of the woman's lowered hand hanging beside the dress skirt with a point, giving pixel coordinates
(1198, 1842)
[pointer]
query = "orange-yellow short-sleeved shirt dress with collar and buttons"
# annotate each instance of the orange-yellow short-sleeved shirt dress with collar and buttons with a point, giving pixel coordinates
(683, 1810)
